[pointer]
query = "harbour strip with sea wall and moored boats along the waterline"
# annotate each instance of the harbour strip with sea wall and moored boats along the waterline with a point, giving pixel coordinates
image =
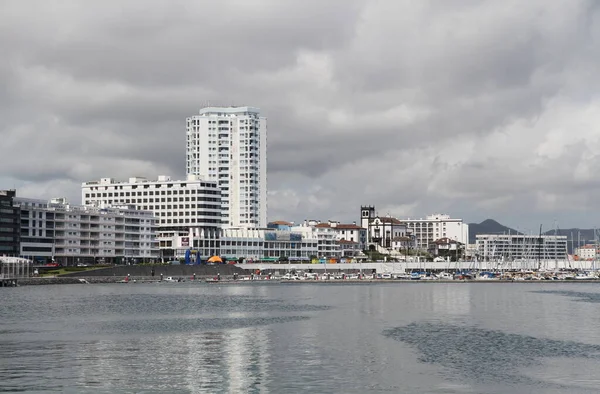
(18, 271)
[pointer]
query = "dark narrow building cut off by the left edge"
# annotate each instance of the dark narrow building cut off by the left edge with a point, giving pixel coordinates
(9, 224)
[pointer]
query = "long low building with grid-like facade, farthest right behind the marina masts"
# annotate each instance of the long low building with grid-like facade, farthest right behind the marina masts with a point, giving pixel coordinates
(509, 247)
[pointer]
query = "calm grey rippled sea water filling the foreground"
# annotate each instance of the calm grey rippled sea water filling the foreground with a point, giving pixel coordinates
(321, 338)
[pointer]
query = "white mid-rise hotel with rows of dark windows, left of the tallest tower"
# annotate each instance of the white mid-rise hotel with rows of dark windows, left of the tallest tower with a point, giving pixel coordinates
(183, 208)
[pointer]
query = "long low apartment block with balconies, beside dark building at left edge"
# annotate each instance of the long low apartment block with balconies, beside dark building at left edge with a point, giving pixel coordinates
(72, 234)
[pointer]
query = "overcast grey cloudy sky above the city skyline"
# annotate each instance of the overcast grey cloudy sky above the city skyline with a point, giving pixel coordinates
(473, 108)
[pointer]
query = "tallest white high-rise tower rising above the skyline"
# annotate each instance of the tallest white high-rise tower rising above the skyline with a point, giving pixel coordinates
(228, 145)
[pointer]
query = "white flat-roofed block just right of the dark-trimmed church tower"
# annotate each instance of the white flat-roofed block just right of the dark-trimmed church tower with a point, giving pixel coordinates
(437, 226)
